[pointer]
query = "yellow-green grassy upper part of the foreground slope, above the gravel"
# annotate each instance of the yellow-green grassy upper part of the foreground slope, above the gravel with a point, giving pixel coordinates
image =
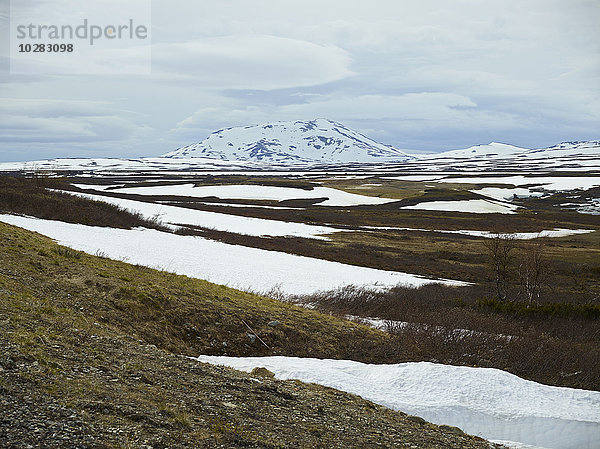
(177, 313)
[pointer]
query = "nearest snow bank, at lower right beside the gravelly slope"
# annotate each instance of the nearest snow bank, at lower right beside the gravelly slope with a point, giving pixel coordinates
(486, 402)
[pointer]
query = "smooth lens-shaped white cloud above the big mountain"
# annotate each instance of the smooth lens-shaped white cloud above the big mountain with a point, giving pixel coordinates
(251, 62)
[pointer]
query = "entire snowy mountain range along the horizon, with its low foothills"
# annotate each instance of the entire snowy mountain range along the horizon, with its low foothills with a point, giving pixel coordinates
(296, 147)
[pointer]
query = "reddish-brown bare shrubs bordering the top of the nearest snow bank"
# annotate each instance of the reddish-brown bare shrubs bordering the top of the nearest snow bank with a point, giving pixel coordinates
(554, 343)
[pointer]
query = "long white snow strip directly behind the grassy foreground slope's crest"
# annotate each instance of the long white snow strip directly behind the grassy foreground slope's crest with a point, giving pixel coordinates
(236, 266)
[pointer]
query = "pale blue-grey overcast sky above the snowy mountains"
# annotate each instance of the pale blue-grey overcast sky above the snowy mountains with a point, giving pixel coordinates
(422, 76)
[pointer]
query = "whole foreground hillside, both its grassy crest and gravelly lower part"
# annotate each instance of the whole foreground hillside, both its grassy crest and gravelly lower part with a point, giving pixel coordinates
(91, 355)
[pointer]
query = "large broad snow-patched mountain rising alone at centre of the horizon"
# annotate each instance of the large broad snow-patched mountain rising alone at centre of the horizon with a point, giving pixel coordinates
(318, 140)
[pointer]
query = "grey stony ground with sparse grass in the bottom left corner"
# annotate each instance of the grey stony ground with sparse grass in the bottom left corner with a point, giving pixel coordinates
(117, 392)
